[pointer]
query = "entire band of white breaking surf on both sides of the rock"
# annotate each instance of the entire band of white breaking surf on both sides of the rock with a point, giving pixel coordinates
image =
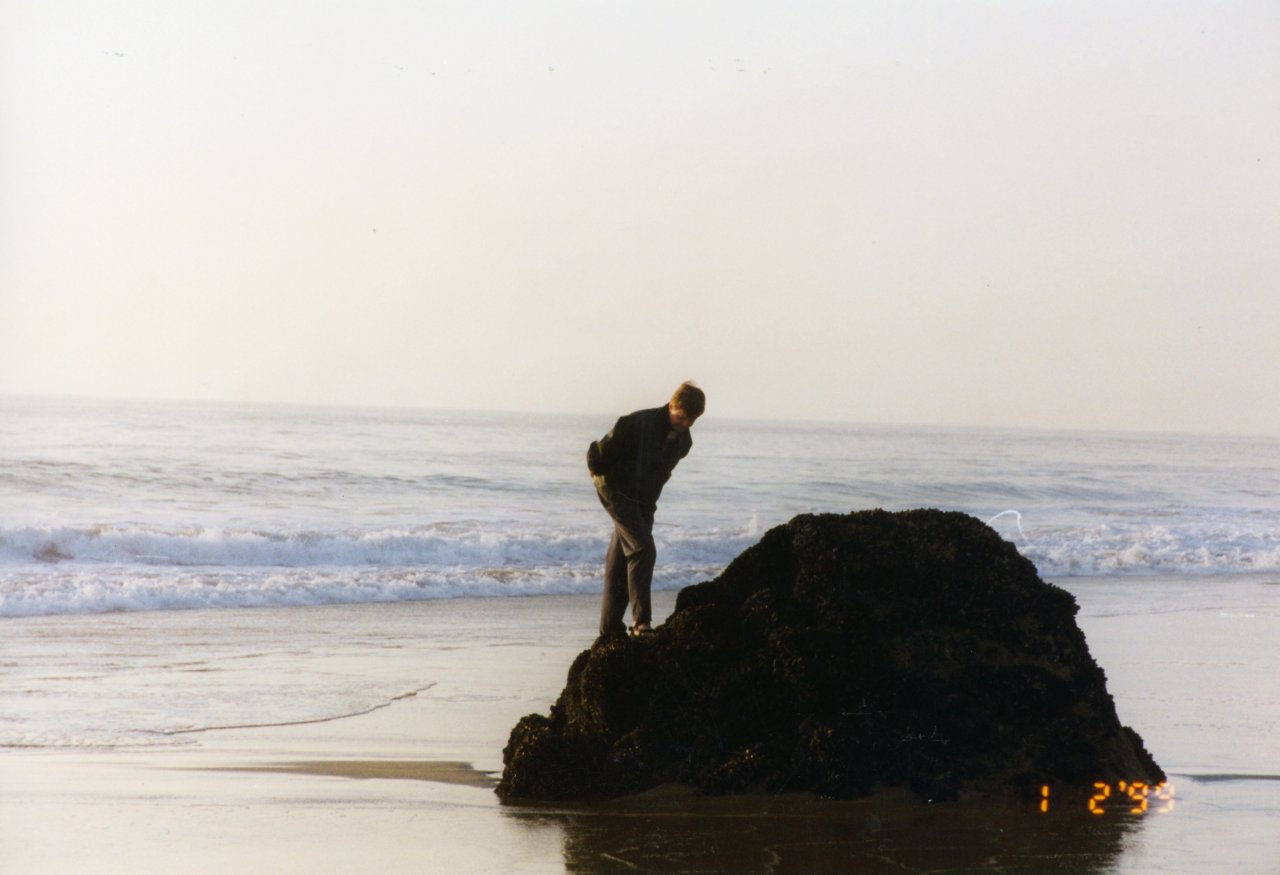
(57, 571)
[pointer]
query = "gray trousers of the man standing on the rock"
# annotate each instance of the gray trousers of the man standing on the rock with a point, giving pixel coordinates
(628, 565)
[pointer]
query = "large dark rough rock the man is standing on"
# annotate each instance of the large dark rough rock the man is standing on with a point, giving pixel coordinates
(840, 656)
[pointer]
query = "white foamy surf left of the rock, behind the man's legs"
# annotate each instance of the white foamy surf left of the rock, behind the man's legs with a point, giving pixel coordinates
(107, 570)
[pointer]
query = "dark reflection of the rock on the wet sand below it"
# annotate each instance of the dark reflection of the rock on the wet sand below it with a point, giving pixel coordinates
(675, 833)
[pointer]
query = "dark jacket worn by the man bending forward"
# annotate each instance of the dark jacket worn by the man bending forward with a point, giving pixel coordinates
(636, 460)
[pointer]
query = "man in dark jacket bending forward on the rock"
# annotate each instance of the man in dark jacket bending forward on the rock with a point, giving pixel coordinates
(629, 469)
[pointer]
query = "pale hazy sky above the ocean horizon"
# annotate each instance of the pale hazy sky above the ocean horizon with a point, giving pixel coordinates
(1013, 214)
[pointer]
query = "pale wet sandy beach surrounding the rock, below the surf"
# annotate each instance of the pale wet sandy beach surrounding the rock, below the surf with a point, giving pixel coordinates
(405, 785)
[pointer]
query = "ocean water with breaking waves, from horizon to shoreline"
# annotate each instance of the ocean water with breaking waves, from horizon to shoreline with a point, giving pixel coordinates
(124, 507)
